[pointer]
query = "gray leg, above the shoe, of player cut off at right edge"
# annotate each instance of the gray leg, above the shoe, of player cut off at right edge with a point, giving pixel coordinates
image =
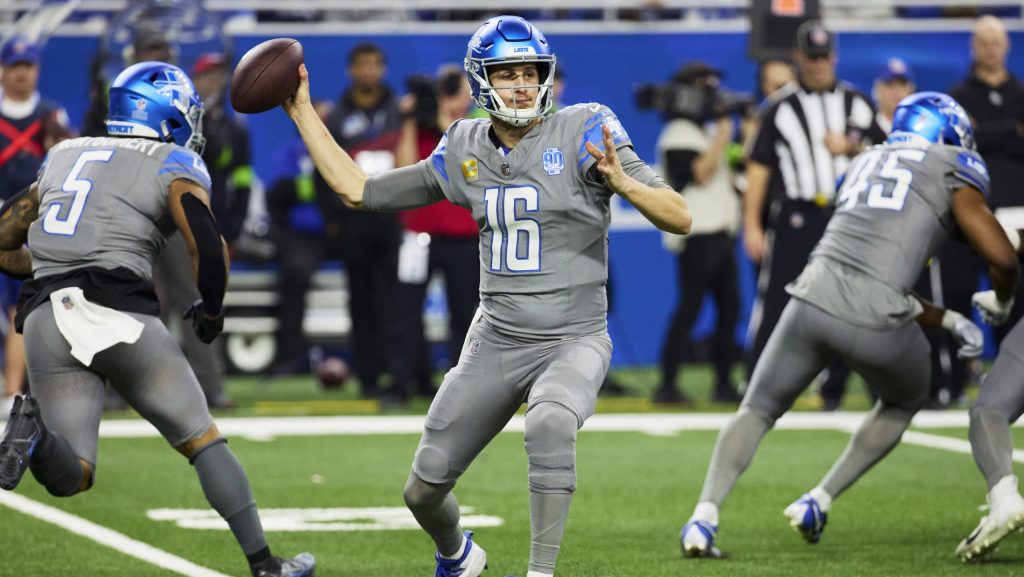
(1000, 404)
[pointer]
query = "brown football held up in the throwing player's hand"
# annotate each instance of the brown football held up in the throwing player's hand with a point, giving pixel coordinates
(267, 76)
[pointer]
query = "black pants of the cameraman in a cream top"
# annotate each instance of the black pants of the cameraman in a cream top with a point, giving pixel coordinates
(707, 263)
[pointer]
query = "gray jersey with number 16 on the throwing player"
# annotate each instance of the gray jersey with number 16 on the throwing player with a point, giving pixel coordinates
(543, 223)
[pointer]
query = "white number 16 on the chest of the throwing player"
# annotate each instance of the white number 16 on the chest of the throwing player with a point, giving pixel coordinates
(516, 241)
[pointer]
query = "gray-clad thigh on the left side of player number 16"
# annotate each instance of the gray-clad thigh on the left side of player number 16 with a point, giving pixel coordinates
(474, 404)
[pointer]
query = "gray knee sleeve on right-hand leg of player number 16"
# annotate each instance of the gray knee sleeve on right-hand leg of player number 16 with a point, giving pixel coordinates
(551, 432)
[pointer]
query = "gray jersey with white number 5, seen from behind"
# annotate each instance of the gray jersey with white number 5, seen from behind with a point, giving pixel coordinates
(103, 202)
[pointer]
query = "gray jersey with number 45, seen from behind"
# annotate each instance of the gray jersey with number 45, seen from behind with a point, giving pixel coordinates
(892, 215)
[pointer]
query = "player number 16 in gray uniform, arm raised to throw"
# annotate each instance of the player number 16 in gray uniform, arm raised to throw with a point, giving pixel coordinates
(539, 187)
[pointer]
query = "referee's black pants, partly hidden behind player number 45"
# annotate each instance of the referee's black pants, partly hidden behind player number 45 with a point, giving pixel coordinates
(795, 229)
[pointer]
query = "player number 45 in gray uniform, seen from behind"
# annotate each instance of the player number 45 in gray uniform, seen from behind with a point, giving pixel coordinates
(899, 203)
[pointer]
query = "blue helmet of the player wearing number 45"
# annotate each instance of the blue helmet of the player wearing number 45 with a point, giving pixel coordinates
(933, 117)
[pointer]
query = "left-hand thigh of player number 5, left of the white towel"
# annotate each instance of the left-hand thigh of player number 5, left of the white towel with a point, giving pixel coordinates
(71, 397)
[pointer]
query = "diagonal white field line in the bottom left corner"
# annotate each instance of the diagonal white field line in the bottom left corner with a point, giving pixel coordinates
(105, 537)
